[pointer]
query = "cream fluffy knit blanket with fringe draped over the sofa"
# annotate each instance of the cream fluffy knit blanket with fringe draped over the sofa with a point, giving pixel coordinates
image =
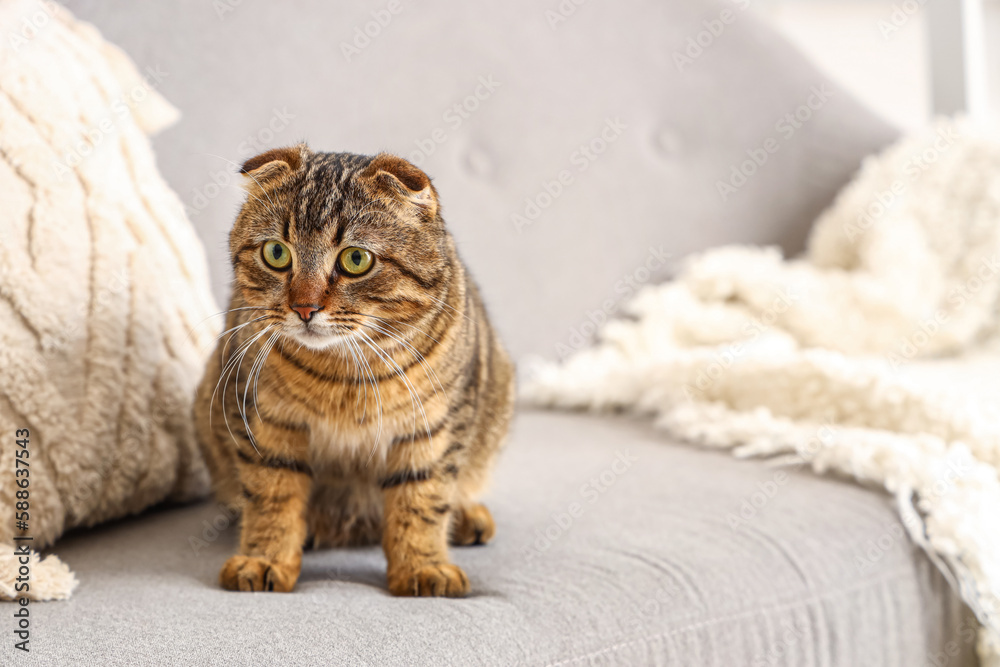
(873, 356)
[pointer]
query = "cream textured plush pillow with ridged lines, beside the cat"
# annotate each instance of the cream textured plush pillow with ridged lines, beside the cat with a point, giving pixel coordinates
(104, 287)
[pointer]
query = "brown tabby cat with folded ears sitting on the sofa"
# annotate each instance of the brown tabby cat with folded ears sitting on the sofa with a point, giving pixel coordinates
(359, 392)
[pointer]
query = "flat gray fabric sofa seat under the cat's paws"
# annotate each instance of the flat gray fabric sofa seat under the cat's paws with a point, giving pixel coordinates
(650, 573)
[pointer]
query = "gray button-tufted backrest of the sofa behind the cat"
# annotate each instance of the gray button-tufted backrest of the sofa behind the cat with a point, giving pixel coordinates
(230, 64)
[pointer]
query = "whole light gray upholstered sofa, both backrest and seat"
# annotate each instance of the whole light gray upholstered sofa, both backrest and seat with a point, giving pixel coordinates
(582, 160)
